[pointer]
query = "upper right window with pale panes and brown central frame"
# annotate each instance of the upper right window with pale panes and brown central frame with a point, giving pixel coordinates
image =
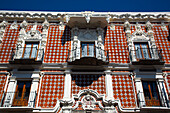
(142, 51)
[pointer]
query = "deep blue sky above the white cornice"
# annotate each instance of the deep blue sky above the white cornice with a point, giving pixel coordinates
(86, 5)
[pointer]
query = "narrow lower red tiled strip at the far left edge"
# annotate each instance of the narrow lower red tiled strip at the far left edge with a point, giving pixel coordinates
(2, 85)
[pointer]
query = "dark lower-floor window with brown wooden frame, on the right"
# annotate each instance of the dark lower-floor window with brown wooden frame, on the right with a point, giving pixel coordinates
(151, 93)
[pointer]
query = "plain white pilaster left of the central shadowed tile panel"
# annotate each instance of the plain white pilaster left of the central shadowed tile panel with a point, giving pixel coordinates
(67, 85)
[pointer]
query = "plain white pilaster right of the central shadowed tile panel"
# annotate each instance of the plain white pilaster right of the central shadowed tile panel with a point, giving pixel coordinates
(109, 88)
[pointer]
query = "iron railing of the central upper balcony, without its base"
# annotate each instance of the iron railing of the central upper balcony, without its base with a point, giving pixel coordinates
(78, 53)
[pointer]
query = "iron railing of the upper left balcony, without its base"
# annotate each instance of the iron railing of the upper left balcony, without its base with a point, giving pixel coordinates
(27, 53)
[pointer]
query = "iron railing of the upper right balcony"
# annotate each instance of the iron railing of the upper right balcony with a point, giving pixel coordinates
(146, 54)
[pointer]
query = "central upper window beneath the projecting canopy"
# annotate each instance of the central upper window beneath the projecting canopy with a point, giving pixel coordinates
(87, 49)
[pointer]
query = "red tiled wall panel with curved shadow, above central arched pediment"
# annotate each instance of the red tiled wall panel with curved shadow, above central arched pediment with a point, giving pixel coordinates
(94, 82)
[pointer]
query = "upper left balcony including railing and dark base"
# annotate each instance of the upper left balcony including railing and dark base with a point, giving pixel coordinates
(26, 55)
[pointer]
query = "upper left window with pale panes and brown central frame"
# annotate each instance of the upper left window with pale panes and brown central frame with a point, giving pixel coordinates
(30, 50)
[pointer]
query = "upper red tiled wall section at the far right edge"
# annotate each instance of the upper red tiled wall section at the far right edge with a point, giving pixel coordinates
(162, 42)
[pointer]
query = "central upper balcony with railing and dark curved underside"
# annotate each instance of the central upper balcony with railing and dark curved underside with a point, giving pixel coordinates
(94, 56)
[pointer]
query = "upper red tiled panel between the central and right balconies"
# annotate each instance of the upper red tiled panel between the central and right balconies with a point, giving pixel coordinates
(115, 42)
